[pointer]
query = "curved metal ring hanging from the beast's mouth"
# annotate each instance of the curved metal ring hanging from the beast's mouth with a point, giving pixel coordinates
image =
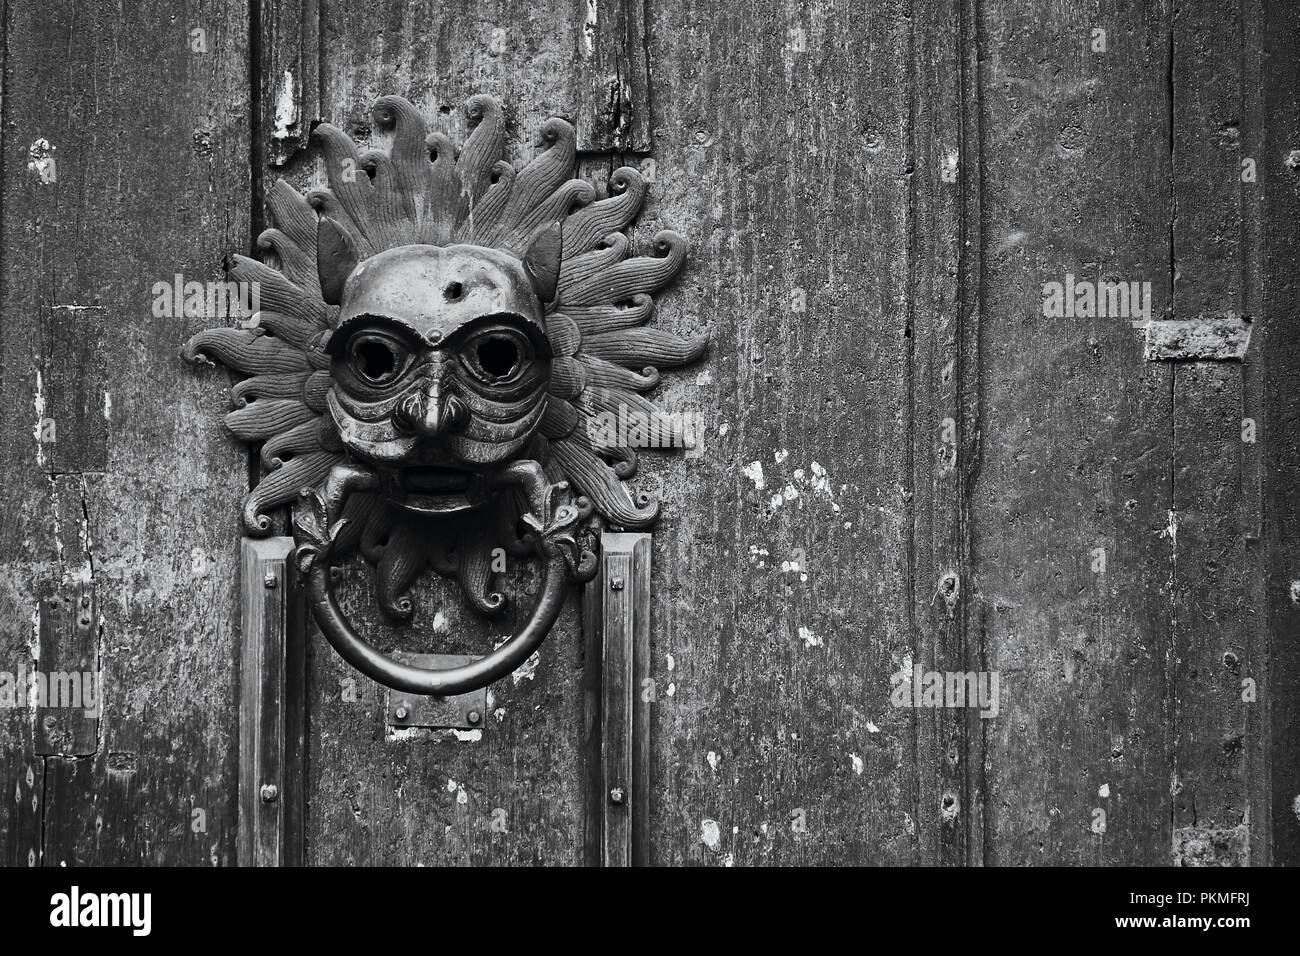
(443, 684)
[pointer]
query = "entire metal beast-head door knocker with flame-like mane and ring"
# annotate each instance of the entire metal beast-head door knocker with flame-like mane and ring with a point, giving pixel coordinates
(437, 332)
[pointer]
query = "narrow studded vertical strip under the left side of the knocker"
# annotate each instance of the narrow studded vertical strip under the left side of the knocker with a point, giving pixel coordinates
(271, 706)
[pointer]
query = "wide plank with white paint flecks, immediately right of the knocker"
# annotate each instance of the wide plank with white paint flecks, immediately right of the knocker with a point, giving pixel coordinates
(781, 585)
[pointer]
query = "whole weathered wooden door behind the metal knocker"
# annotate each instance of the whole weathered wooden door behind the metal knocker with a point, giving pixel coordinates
(908, 464)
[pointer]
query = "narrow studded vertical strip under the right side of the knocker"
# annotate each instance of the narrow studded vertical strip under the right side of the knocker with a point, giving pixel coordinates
(617, 620)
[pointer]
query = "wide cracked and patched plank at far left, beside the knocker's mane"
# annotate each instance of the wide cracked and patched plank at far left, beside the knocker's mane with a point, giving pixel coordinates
(150, 178)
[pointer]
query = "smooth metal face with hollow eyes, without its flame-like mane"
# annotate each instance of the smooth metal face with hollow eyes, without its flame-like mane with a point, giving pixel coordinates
(441, 365)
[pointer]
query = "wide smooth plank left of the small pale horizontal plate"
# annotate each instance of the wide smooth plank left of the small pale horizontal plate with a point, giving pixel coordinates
(1072, 499)
